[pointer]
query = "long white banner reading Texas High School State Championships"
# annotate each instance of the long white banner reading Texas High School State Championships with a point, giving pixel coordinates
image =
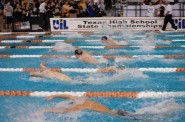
(116, 23)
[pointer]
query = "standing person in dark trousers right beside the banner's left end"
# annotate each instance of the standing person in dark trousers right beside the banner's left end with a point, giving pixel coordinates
(49, 14)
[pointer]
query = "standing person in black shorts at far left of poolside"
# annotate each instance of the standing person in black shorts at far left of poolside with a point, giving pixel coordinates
(8, 10)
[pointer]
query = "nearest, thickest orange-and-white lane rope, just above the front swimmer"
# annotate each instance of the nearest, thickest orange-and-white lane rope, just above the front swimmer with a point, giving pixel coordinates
(103, 94)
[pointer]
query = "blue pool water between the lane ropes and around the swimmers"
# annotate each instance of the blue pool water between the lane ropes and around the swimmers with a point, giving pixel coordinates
(26, 109)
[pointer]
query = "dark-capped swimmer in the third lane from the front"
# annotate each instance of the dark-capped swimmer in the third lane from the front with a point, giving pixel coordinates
(85, 56)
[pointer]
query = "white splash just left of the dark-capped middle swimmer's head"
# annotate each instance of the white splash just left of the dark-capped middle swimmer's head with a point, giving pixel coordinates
(63, 47)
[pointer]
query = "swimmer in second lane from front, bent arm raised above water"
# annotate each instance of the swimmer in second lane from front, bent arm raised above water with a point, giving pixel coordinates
(45, 73)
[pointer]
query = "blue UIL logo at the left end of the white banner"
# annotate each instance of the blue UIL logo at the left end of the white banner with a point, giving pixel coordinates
(60, 24)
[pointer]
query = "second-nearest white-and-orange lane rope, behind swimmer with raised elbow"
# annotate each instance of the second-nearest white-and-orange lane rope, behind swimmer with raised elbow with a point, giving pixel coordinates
(94, 70)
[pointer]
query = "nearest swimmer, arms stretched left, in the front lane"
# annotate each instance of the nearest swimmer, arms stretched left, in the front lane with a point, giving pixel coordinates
(84, 105)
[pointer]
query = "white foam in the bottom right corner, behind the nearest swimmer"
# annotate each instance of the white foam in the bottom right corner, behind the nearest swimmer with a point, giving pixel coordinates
(167, 109)
